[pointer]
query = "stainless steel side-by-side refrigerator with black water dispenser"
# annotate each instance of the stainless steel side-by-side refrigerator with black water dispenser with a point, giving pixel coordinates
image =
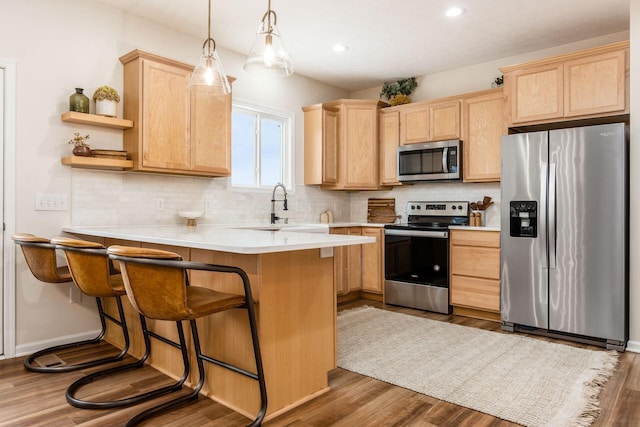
(564, 233)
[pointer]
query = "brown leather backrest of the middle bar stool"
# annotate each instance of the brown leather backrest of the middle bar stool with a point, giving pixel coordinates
(89, 266)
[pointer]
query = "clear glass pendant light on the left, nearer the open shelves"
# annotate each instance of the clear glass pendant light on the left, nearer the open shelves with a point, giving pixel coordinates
(209, 77)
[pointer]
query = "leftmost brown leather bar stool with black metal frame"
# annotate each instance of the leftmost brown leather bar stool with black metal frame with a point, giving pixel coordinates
(40, 255)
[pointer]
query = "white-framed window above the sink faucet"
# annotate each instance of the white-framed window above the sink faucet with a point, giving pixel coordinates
(261, 154)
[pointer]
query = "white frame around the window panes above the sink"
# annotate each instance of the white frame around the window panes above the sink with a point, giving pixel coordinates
(287, 147)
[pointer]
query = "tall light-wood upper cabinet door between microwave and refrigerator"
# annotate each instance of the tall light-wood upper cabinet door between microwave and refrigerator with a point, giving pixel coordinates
(483, 127)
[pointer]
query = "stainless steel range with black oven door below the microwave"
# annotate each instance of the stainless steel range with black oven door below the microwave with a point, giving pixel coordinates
(417, 255)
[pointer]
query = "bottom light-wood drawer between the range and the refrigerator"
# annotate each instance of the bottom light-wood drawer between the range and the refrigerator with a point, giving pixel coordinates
(479, 294)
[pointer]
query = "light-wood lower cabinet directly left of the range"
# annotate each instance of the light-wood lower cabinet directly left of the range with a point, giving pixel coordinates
(359, 270)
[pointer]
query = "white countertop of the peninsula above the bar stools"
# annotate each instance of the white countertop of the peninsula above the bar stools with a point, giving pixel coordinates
(242, 238)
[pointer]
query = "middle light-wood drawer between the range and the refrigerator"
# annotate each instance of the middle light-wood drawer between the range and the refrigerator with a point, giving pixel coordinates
(475, 261)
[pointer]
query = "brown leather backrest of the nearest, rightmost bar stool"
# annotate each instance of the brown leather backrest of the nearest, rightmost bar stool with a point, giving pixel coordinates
(157, 289)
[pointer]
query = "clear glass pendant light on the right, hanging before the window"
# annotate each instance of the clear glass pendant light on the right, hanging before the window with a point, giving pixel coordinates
(268, 55)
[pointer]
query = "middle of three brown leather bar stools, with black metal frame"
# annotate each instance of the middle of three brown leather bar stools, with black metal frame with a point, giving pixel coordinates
(92, 270)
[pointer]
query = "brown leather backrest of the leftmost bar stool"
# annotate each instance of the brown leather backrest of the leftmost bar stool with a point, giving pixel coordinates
(40, 255)
